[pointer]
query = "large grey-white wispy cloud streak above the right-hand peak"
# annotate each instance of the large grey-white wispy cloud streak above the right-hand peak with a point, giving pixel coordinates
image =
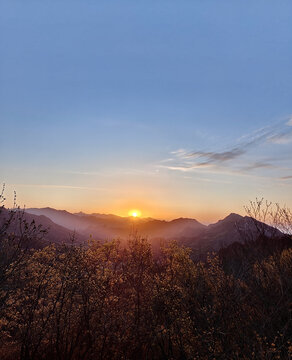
(242, 157)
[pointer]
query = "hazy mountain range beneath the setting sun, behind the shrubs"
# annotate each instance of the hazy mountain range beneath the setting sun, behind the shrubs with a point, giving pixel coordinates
(233, 228)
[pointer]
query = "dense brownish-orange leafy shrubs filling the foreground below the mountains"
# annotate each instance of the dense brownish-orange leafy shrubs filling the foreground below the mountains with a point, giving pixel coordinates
(108, 301)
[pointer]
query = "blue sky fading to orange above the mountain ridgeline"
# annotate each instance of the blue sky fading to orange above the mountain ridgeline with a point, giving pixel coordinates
(175, 108)
